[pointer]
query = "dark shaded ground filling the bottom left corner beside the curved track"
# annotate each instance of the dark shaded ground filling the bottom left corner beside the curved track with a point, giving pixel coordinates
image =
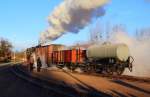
(12, 86)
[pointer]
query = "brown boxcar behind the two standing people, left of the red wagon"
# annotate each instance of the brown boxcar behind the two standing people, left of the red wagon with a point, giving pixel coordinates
(44, 52)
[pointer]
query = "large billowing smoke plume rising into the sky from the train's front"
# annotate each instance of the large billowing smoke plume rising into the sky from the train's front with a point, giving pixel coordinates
(72, 16)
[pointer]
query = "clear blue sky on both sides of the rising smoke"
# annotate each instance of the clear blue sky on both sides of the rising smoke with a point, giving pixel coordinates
(21, 21)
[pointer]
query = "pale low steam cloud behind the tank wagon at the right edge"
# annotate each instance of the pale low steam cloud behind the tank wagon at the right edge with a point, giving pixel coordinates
(139, 49)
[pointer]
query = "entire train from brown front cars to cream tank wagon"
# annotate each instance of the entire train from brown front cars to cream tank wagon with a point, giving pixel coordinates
(103, 58)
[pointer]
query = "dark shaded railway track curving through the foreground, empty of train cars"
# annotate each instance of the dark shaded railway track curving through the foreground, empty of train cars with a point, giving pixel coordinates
(51, 88)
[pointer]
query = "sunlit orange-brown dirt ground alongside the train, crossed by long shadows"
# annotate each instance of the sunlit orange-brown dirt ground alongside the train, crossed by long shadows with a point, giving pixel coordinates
(113, 87)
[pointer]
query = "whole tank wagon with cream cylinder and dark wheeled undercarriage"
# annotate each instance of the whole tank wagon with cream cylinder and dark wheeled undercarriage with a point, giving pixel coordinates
(110, 58)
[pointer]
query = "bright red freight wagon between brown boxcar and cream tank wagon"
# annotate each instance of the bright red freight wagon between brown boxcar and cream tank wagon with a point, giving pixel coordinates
(70, 58)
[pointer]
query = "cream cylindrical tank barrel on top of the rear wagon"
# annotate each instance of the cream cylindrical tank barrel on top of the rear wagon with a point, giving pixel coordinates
(119, 51)
